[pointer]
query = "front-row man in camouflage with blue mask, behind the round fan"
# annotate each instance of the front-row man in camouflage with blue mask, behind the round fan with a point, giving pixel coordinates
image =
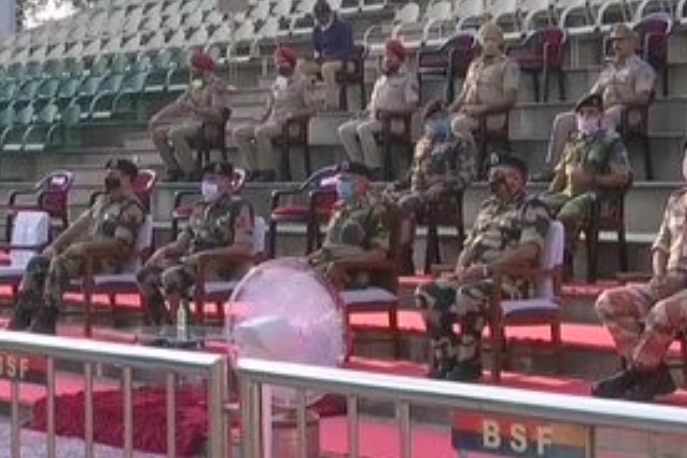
(358, 231)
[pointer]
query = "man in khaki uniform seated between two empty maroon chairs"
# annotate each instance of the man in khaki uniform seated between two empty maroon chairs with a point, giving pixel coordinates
(490, 87)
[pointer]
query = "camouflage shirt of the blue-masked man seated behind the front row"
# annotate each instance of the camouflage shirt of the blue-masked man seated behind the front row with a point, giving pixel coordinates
(450, 163)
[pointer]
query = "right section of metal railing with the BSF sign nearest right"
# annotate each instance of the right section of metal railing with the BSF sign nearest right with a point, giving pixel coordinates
(406, 392)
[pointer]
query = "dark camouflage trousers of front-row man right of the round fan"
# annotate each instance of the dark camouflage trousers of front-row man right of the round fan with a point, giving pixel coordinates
(445, 303)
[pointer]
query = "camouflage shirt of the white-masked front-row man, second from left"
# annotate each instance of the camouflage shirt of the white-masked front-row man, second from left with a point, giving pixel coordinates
(222, 222)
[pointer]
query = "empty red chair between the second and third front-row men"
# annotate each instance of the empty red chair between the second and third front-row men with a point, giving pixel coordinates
(313, 206)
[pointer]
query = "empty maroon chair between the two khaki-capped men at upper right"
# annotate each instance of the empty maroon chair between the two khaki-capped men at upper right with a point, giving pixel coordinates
(541, 53)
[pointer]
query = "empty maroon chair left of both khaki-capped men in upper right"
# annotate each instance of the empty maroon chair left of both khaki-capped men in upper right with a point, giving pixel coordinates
(446, 63)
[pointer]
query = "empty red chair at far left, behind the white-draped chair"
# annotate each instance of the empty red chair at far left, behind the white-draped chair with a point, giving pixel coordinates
(50, 194)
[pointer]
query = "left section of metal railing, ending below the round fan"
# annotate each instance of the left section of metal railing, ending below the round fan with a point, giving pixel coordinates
(212, 369)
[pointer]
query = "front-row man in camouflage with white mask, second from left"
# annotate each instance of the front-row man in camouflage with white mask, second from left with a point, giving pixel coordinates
(220, 226)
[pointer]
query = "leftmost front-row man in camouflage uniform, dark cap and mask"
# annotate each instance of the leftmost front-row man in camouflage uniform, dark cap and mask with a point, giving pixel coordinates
(107, 232)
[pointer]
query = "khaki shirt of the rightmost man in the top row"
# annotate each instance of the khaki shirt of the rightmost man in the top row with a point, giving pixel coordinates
(620, 81)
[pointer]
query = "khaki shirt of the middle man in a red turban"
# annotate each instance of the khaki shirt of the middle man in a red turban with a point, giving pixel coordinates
(290, 95)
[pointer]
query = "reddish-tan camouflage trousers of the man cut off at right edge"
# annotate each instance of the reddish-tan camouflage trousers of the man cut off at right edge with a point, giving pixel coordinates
(642, 326)
